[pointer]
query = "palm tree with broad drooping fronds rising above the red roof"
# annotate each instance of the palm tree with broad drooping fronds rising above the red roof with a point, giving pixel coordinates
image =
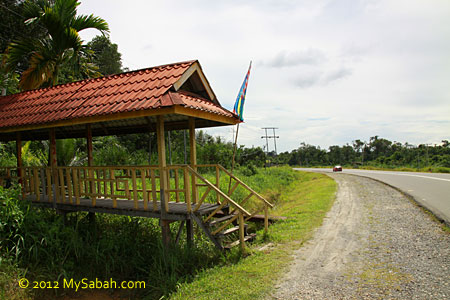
(61, 46)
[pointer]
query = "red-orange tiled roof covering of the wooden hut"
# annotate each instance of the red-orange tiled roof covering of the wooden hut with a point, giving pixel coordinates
(132, 91)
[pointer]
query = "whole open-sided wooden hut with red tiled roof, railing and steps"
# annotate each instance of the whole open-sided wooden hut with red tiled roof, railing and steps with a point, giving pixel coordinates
(158, 99)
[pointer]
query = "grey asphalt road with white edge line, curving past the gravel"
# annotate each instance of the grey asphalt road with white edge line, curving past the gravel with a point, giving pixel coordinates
(429, 189)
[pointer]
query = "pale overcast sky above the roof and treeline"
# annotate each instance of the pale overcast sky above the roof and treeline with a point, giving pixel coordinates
(324, 72)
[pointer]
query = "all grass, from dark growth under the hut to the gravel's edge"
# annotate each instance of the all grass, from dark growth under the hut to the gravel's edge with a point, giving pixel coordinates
(37, 244)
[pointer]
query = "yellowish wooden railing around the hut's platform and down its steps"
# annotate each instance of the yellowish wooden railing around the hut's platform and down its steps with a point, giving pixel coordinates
(142, 184)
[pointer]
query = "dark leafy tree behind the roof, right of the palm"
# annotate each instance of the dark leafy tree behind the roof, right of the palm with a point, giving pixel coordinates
(105, 55)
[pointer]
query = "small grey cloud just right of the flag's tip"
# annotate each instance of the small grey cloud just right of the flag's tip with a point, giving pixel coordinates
(290, 59)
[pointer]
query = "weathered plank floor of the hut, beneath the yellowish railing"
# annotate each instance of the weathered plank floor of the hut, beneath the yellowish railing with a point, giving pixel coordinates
(177, 211)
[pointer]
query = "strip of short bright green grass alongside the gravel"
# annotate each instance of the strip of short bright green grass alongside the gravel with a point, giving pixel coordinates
(305, 203)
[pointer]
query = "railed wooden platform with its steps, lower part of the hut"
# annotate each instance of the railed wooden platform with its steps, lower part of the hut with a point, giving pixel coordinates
(170, 193)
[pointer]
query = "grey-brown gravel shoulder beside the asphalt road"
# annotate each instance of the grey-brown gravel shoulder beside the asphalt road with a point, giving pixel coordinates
(374, 244)
